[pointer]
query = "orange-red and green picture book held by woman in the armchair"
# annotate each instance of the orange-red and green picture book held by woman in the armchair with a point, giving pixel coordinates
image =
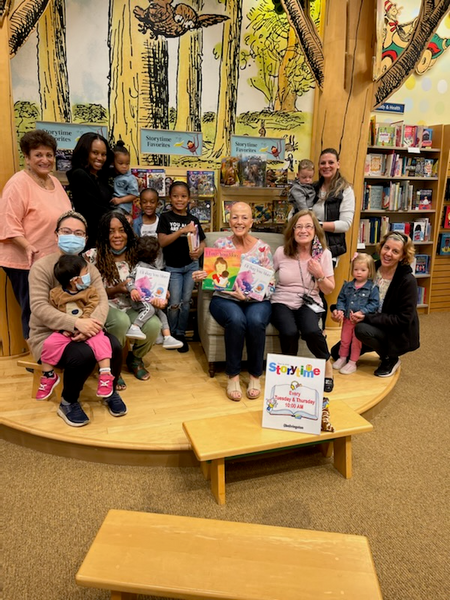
(222, 267)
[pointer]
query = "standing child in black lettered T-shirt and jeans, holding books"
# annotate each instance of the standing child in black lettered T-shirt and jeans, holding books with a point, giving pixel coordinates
(181, 259)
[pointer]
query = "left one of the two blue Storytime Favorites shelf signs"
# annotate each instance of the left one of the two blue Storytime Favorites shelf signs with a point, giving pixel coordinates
(164, 141)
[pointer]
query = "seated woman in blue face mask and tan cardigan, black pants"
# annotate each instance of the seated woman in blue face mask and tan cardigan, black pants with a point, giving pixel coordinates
(77, 359)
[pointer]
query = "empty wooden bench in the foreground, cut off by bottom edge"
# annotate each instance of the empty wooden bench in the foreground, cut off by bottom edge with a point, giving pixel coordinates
(189, 558)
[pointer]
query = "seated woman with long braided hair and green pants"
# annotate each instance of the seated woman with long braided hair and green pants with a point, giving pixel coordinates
(115, 257)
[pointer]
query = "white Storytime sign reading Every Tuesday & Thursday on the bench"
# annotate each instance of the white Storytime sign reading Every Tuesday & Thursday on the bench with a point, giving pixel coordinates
(293, 393)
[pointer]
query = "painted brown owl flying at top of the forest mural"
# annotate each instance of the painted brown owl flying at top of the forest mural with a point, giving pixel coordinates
(161, 18)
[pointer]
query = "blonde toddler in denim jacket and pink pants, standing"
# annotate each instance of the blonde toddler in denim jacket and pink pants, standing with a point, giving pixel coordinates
(357, 297)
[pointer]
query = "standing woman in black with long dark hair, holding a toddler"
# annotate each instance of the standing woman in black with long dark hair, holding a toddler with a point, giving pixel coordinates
(88, 178)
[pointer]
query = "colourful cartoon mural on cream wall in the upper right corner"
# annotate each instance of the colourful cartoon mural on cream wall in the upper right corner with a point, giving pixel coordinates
(426, 73)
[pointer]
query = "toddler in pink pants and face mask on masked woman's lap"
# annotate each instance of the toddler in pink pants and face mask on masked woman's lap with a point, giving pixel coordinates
(77, 297)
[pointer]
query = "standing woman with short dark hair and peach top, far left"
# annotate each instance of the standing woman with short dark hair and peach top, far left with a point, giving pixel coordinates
(31, 202)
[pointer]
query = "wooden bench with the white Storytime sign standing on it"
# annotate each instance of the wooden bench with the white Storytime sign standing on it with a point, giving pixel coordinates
(232, 436)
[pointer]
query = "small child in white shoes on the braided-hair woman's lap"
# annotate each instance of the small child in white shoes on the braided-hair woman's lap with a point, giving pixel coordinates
(147, 251)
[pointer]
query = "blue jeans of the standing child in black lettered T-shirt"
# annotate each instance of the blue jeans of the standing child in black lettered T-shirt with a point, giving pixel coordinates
(181, 285)
